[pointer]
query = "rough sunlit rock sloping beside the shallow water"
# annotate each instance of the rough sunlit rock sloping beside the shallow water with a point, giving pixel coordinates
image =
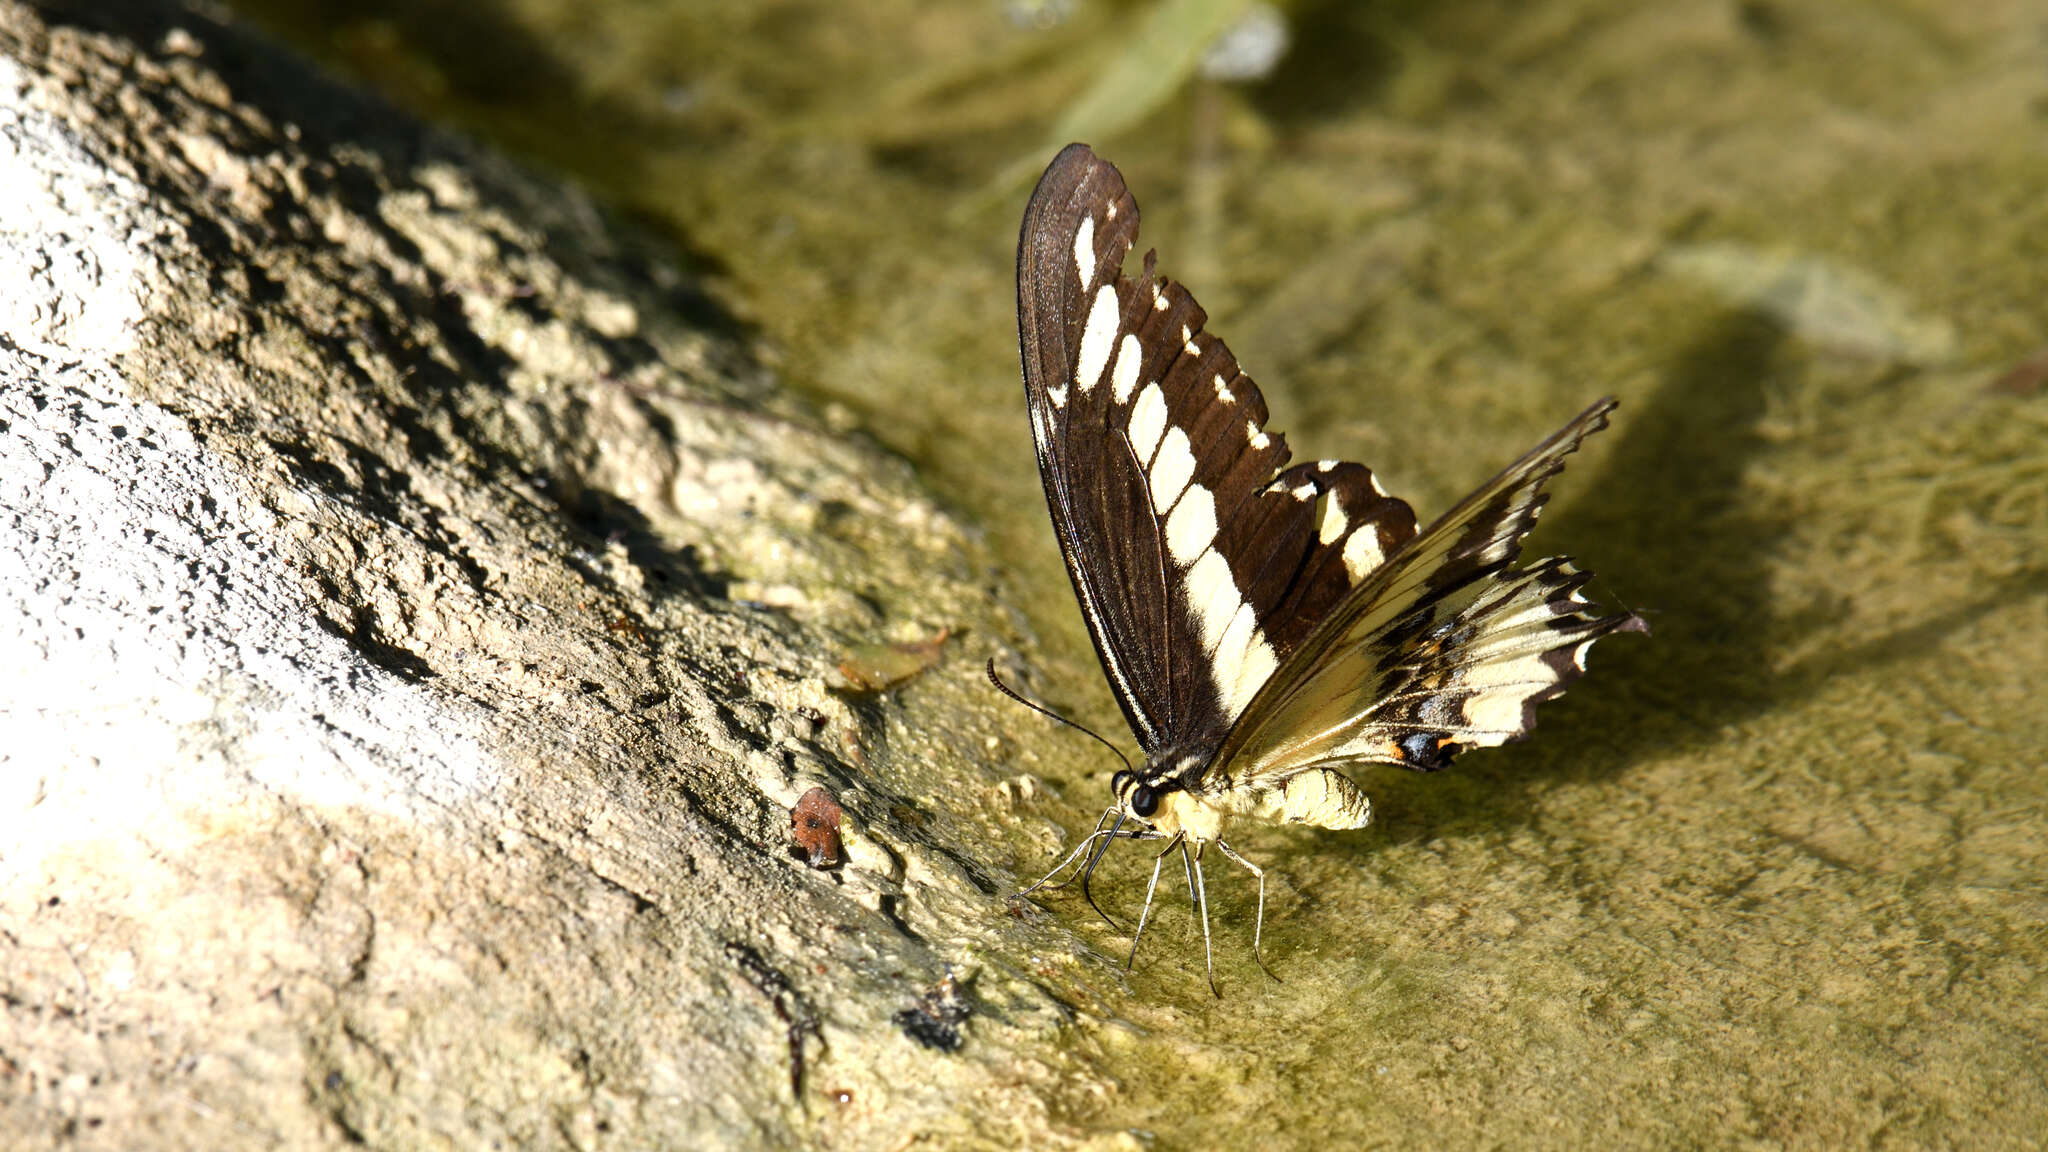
(419, 614)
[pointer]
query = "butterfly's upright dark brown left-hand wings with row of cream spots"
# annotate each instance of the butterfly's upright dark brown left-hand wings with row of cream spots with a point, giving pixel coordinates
(1199, 557)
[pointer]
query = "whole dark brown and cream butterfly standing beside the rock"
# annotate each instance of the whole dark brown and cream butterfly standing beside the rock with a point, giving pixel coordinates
(1263, 624)
